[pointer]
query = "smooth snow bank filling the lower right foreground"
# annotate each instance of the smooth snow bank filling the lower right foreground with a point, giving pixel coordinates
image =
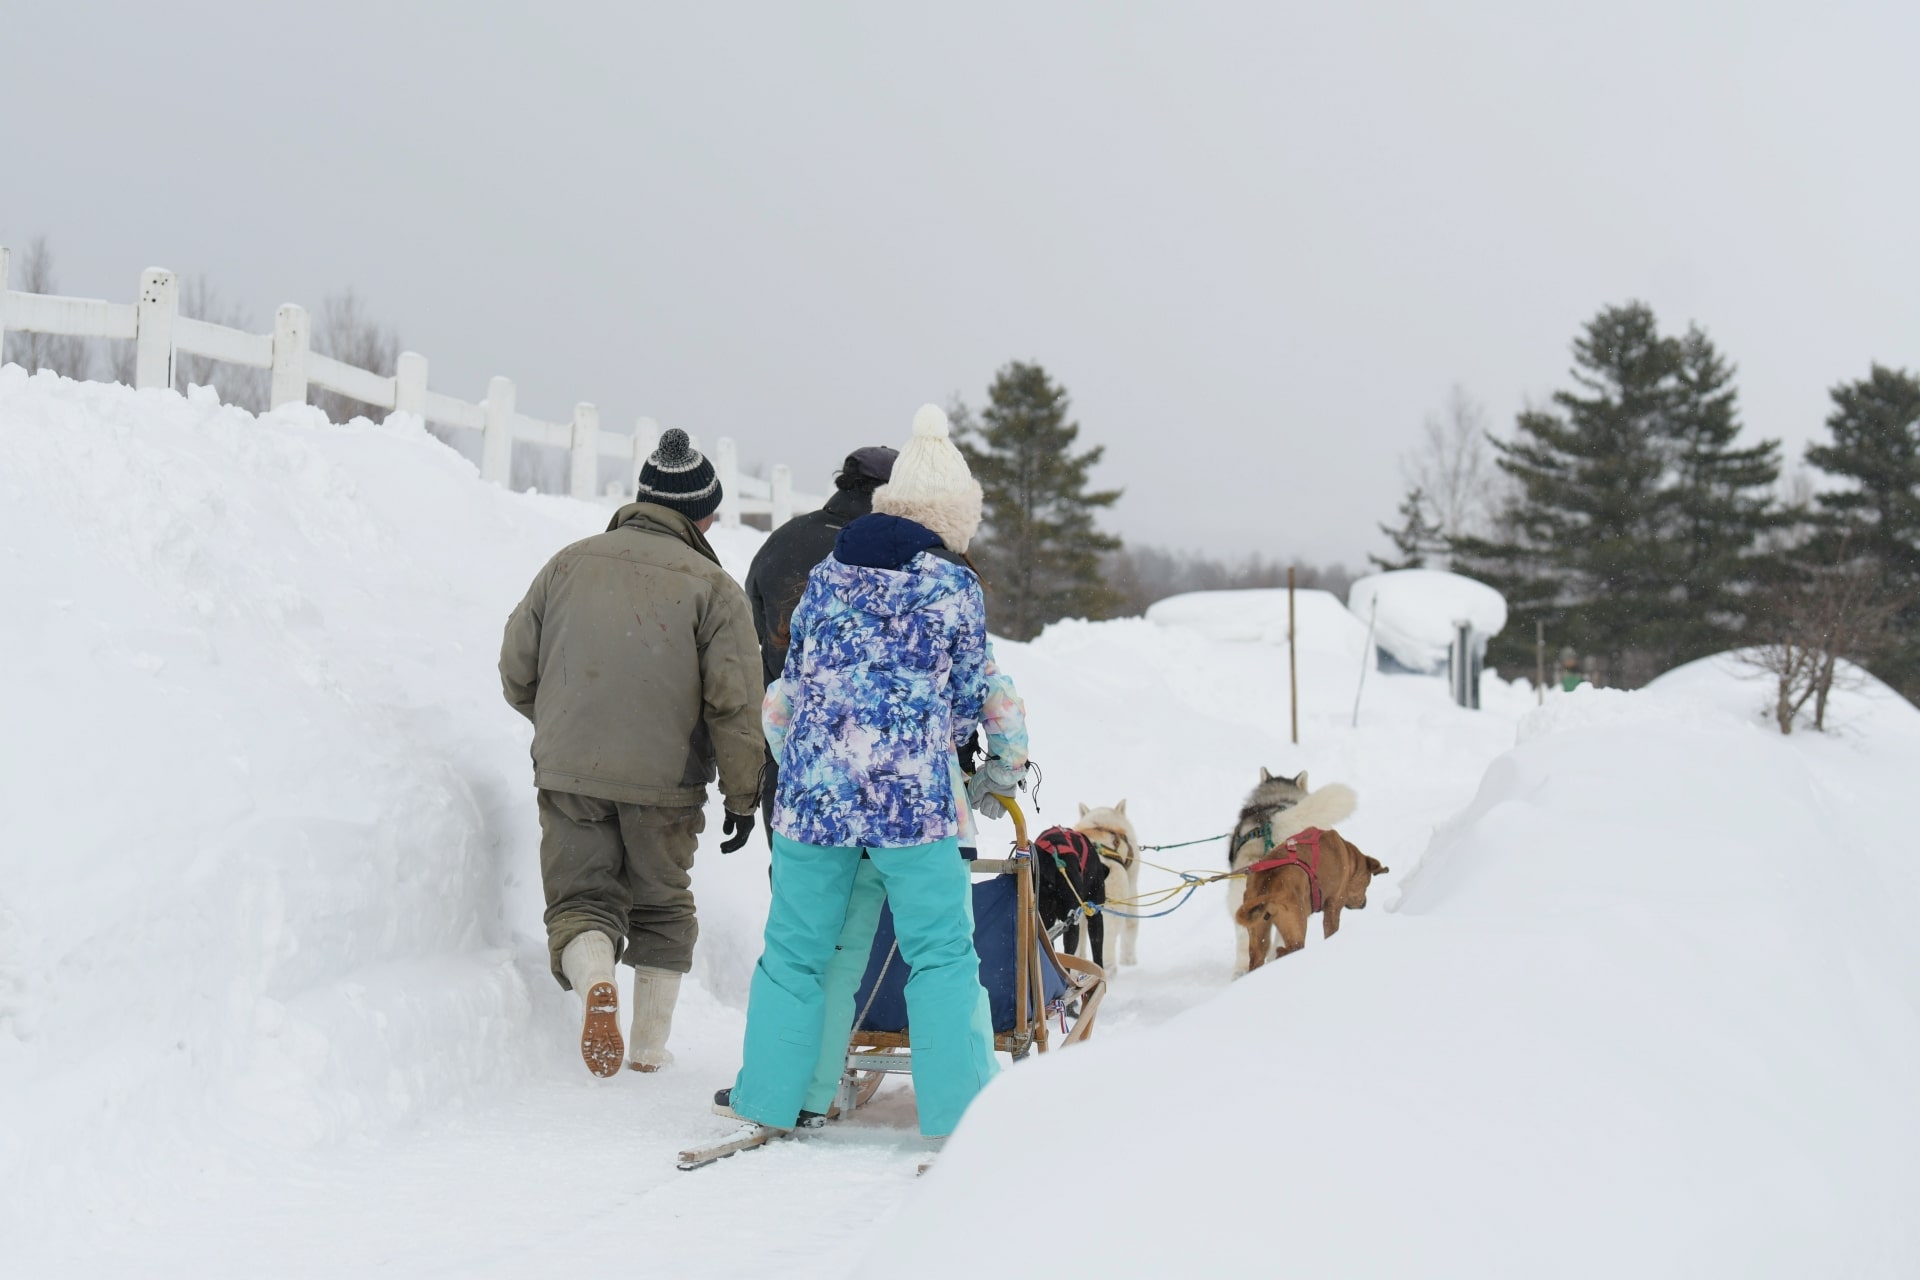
(1648, 1007)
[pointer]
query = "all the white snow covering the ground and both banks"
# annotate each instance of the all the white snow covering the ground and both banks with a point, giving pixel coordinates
(274, 993)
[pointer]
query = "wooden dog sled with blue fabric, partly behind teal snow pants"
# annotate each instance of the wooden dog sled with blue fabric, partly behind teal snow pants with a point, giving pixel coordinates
(1028, 982)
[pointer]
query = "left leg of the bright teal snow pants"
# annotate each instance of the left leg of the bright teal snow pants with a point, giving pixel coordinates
(786, 1005)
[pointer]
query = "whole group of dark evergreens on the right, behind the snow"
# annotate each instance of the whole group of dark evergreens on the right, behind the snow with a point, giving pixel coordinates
(1646, 529)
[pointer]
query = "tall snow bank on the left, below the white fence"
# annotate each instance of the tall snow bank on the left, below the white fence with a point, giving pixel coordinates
(268, 830)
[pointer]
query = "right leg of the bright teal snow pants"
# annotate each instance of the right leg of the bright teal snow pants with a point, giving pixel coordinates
(930, 893)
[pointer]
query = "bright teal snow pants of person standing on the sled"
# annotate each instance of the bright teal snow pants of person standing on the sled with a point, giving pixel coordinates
(932, 914)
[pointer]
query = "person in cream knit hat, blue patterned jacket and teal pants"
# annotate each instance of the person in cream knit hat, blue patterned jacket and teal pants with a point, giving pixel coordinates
(886, 675)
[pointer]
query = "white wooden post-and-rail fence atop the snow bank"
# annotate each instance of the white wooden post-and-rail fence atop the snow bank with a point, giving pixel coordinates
(160, 333)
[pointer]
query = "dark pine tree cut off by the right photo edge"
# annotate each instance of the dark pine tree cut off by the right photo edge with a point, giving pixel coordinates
(1877, 448)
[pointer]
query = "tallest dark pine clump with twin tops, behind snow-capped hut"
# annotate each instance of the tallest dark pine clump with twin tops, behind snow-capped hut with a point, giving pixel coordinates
(1637, 527)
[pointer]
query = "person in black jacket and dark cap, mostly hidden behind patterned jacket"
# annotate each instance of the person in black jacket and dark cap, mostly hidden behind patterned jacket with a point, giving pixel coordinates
(790, 554)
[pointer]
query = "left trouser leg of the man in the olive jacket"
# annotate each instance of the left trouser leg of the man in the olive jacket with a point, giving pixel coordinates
(583, 872)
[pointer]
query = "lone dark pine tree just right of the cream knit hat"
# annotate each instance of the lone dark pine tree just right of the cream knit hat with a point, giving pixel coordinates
(1040, 552)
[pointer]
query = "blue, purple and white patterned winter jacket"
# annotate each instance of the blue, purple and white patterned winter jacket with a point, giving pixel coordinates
(886, 671)
